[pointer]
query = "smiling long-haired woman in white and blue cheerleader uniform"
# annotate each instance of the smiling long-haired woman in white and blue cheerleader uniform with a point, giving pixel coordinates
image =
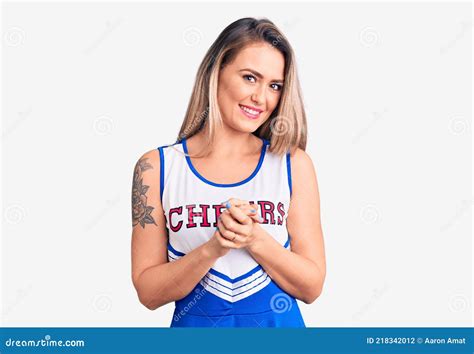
(213, 212)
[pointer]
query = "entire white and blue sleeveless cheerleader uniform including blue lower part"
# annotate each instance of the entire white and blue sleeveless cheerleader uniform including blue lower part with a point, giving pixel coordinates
(236, 292)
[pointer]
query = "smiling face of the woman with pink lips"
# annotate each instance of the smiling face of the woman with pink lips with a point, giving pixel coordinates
(250, 87)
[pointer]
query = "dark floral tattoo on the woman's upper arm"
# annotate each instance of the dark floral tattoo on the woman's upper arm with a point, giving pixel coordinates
(141, 212)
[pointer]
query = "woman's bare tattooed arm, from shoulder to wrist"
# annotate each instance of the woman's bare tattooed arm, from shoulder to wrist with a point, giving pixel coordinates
(156, 281)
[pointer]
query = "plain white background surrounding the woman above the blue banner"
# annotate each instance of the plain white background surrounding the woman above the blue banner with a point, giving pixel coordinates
(87, 88)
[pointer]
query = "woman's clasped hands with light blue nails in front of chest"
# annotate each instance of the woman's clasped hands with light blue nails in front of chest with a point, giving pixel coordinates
(237, 223)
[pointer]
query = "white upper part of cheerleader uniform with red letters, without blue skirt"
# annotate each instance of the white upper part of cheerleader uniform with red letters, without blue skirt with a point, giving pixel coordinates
(192, 204)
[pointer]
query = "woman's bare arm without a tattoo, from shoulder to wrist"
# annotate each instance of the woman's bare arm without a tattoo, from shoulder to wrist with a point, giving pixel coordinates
(300, 272)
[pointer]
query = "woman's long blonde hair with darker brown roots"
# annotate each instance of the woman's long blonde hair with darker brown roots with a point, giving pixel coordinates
(286, 127)
